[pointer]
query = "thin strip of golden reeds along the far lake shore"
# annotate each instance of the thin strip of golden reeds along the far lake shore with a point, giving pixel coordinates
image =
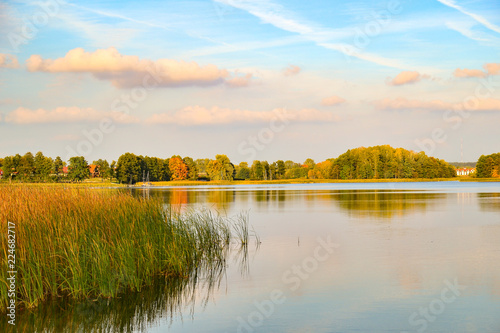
(101, 183)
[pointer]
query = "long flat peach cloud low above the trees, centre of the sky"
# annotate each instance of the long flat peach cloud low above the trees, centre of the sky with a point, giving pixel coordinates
(198, 115)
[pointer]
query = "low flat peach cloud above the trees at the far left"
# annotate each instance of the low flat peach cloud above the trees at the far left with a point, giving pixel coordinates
(65, 115)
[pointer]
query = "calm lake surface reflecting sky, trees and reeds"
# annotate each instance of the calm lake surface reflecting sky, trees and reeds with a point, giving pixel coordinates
(375, 257)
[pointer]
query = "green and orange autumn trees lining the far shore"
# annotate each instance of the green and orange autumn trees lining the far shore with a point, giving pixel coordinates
(379, 162)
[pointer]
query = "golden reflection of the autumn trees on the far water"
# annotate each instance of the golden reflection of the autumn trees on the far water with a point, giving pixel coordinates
(356, 203)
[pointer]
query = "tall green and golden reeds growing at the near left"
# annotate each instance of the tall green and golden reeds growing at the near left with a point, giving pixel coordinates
(92, 243)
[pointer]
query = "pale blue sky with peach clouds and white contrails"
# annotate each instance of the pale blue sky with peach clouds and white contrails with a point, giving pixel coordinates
(252, 79)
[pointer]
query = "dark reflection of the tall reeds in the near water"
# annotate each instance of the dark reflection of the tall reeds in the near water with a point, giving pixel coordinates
(165, 299)
